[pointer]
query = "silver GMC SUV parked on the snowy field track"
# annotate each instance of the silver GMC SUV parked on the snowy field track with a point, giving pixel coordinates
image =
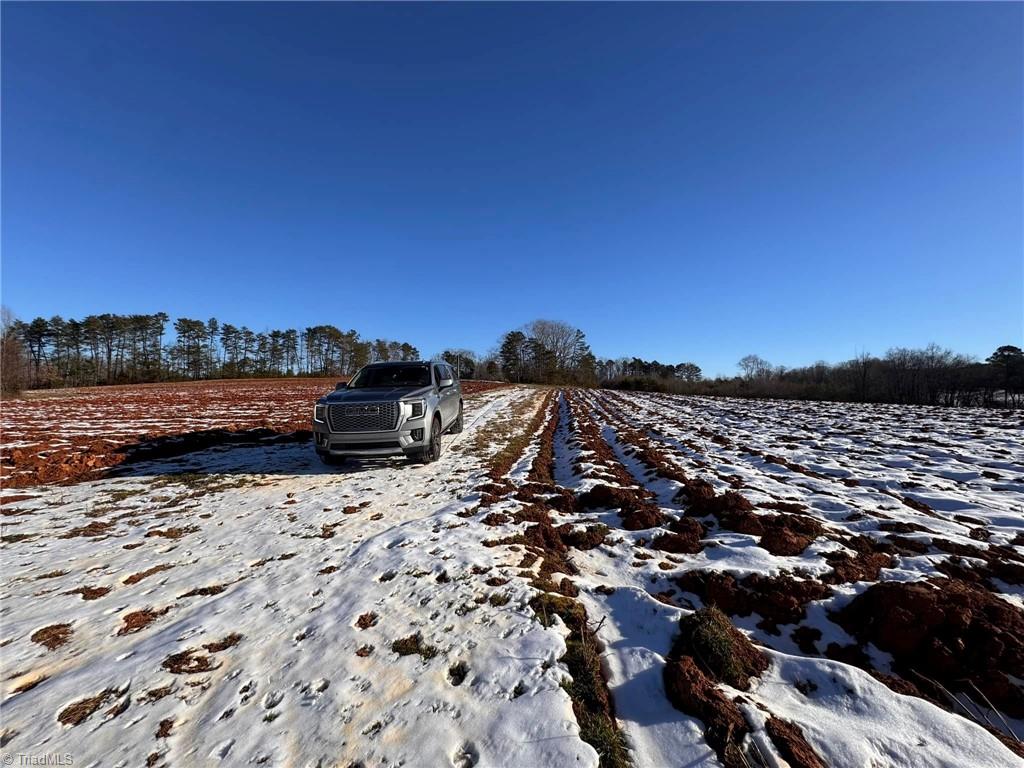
(390, 409)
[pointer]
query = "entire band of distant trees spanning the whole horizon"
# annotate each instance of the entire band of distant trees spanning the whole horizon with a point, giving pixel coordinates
(126, 350)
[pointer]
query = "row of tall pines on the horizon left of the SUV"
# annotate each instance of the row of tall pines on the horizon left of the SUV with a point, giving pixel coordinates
(132, 350)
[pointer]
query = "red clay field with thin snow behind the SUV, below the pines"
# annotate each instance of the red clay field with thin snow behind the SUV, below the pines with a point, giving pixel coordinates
(75, 435)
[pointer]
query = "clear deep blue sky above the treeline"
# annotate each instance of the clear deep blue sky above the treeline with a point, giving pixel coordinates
(684, 182)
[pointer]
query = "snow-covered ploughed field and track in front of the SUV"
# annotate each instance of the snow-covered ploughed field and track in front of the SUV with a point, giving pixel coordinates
(247, 606)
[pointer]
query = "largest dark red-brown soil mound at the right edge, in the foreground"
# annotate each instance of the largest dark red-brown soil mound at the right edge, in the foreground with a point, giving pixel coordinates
(948, 631)
